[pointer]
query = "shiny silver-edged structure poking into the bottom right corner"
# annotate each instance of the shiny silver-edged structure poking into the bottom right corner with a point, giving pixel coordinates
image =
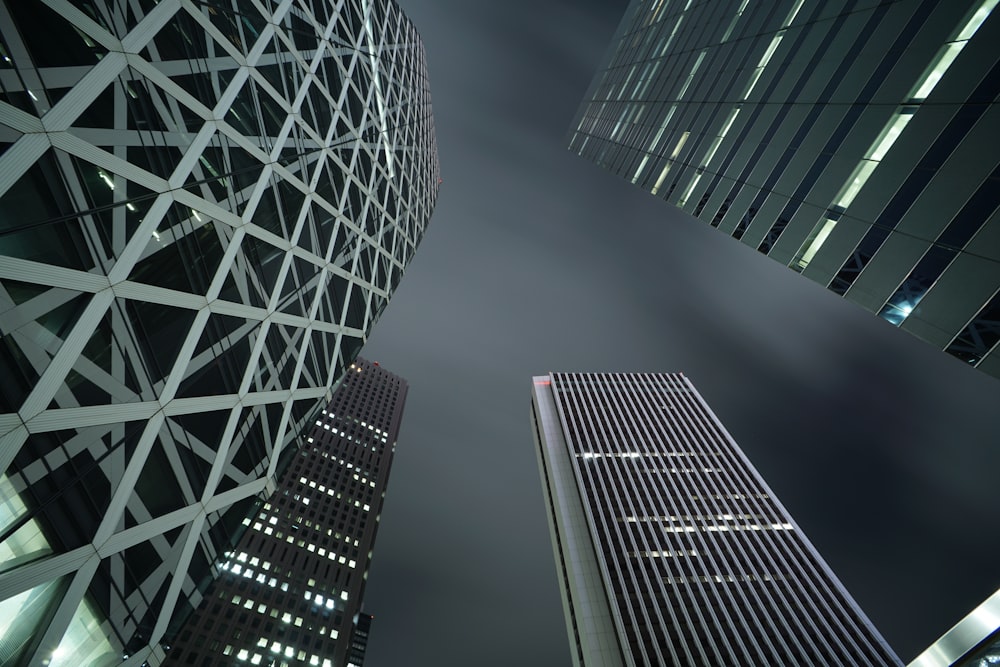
(972, 642)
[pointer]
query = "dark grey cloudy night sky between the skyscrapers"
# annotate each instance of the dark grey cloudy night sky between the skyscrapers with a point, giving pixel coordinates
(884, 449)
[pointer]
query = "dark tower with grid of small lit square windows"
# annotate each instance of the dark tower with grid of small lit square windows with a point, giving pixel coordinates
(290, 590)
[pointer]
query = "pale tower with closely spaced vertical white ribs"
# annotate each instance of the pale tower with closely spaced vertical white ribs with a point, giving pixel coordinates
(670, 548)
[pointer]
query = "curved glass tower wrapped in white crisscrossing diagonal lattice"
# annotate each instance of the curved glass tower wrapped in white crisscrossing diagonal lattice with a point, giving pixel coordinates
(204, 208)
